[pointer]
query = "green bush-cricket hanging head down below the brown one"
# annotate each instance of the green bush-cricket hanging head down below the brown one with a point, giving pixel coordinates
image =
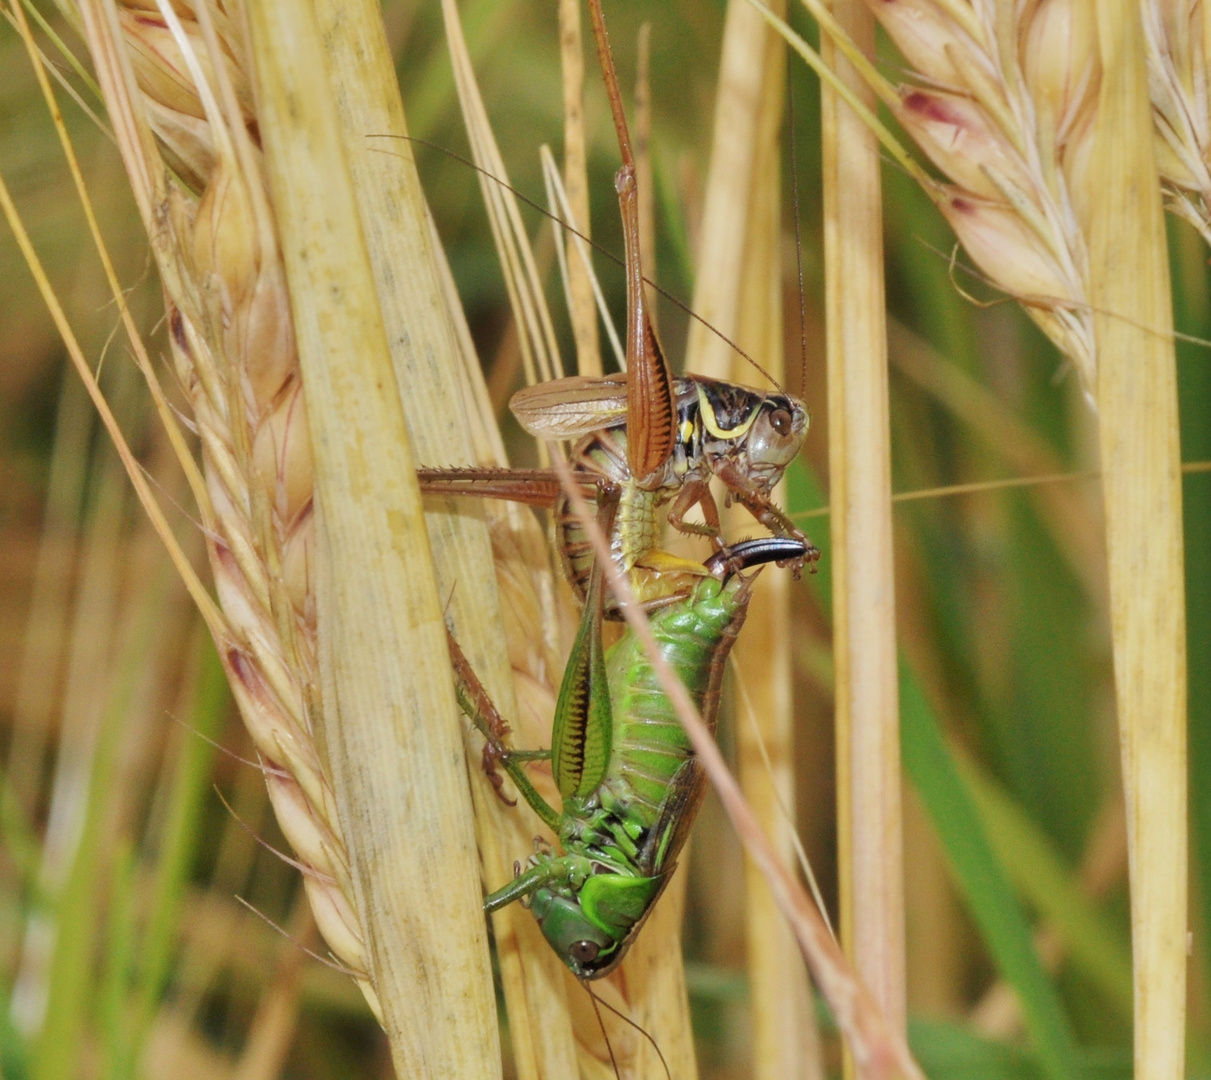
(628, 778)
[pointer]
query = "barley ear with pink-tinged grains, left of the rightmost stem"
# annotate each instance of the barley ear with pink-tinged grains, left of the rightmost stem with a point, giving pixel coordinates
(1006, 113)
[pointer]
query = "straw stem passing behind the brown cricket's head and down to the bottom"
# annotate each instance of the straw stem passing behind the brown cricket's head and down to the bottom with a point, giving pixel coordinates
(739, 292)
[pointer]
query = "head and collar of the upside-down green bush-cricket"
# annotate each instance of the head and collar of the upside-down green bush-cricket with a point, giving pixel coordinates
(593, 929)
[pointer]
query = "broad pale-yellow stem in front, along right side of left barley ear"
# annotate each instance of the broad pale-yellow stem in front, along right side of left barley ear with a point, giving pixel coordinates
(391, 729)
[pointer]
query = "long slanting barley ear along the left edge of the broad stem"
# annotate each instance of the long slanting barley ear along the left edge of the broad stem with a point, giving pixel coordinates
(234, 353)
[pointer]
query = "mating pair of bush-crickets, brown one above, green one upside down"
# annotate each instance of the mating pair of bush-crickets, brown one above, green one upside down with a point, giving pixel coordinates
(623, 765)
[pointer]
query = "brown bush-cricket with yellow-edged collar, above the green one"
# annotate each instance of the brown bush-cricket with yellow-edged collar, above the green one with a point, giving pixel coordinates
(658, 439)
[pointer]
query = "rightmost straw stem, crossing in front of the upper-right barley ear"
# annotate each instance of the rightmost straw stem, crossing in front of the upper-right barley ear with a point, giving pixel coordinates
(1143, 489)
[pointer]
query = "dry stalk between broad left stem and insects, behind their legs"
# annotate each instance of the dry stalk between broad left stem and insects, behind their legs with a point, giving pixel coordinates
(450, 421)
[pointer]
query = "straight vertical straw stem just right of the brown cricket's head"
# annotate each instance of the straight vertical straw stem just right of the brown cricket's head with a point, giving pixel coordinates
(864, 587)
